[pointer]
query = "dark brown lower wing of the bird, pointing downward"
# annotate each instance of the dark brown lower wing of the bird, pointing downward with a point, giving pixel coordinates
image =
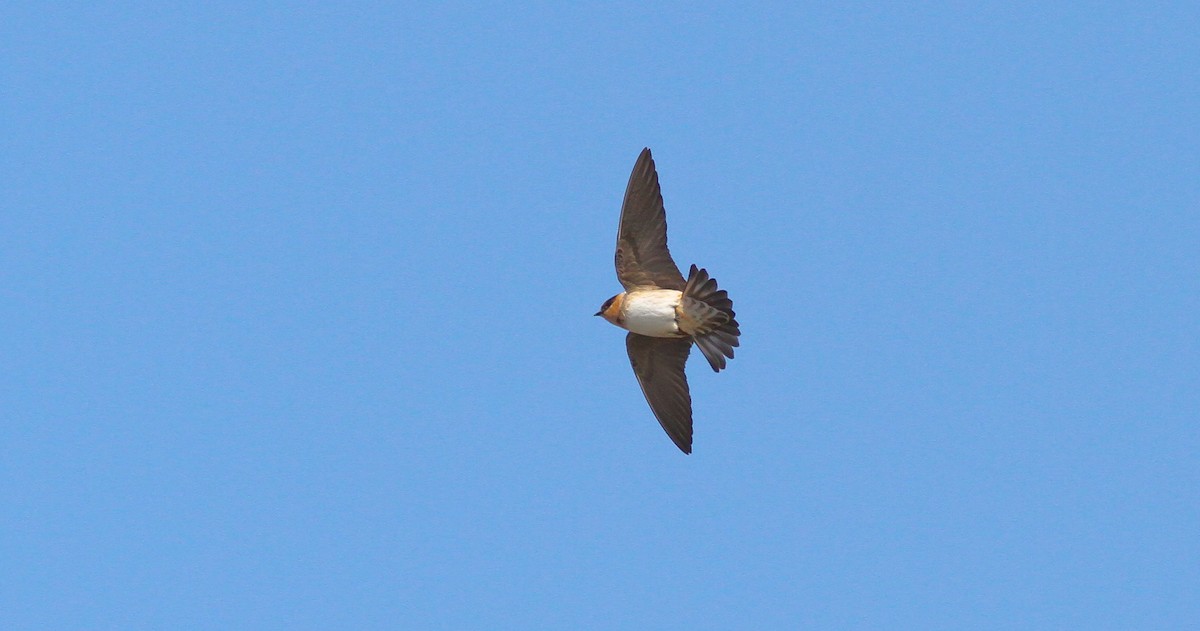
(659, 363)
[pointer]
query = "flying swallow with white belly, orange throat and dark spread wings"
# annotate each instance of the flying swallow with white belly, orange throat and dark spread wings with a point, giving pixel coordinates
(664, 313)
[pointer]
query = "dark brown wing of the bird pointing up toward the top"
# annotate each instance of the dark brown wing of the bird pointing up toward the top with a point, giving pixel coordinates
(643, 255)
